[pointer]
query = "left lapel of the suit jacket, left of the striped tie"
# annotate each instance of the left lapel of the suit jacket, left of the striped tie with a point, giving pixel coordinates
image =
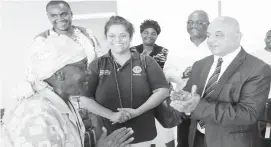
(204, 73)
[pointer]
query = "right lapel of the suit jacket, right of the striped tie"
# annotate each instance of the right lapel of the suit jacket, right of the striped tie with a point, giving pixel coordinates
(237, 61)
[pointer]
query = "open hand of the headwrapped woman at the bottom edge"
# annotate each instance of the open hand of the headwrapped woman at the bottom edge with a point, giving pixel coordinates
(118, 138)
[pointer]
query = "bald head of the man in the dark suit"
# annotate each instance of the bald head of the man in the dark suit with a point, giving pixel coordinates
(224, 35)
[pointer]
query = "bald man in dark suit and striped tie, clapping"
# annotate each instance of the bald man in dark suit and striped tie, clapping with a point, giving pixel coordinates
(233, 87)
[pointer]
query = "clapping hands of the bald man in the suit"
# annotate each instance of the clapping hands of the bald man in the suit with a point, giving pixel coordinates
(184, 101)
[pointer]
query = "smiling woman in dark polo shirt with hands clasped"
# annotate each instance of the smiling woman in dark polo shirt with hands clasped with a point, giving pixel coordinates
(123, 92)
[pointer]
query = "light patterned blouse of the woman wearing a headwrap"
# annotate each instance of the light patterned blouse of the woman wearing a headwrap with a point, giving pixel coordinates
(43, 120)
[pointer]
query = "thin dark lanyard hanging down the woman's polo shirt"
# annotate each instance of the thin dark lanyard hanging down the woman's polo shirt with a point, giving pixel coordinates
(117, 83)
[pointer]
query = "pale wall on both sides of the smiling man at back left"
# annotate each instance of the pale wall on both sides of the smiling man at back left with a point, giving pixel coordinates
(22, 20)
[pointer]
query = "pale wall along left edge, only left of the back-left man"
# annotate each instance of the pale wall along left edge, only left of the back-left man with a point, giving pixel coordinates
(21, 22)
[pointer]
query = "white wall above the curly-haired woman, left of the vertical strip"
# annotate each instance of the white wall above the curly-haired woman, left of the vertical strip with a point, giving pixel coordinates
(171, 15)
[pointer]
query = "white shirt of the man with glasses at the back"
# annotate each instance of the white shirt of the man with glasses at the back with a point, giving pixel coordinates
(179, 60)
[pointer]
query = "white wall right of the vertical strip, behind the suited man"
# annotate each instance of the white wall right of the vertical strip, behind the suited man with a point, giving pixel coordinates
(254, 19)
